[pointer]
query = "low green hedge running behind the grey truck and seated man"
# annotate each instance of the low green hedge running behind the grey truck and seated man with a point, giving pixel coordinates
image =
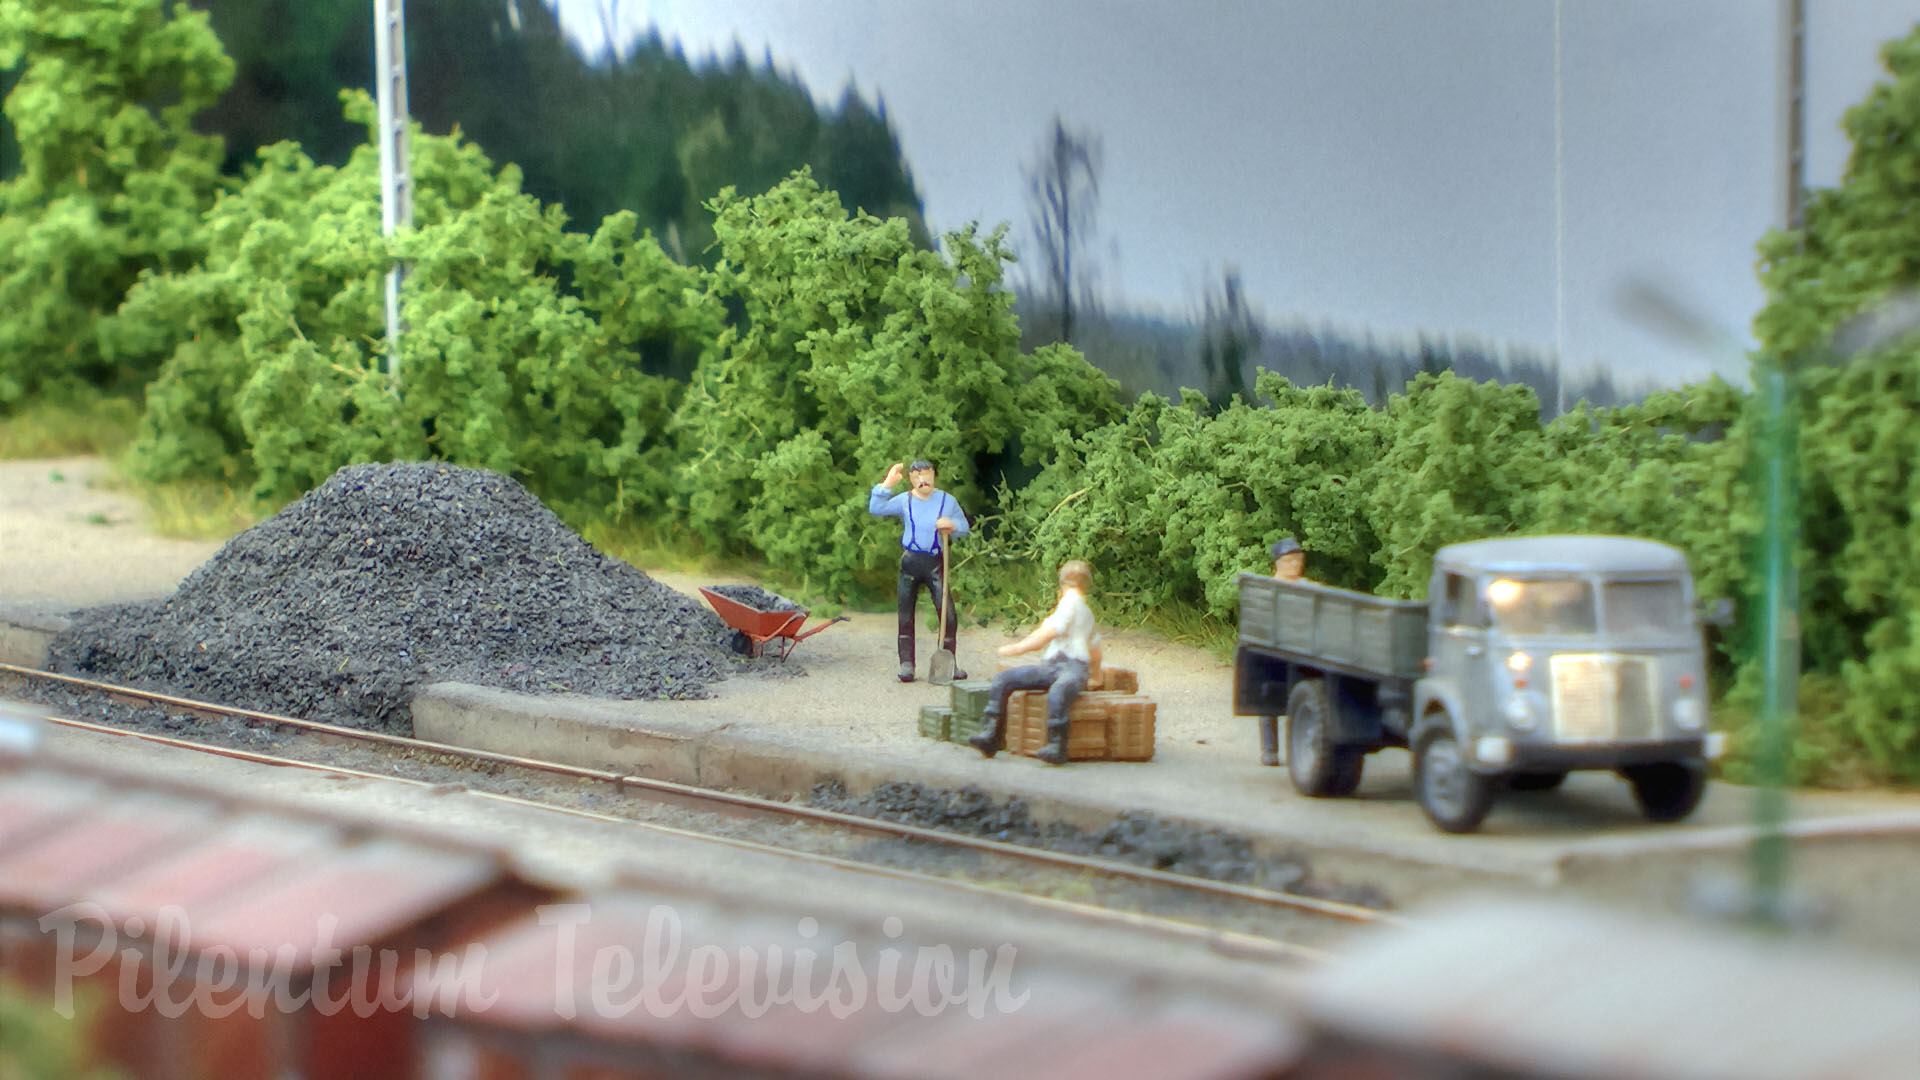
(1176, 499)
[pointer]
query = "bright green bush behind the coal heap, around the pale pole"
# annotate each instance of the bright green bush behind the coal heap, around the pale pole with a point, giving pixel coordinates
(276, 343)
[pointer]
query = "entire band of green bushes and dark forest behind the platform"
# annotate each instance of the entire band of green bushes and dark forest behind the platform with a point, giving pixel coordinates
(684, 303)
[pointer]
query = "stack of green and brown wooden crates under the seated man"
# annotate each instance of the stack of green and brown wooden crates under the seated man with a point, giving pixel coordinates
(1113, 724)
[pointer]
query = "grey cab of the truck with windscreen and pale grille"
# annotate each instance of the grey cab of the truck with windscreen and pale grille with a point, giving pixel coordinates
(1550, 654)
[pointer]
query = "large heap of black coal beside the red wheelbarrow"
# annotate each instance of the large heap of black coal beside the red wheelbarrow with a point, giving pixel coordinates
(389, 577)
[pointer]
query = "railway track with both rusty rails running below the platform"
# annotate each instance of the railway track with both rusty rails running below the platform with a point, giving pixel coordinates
(1226, 918)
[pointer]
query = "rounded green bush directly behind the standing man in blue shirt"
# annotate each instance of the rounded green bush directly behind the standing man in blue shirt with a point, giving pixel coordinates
(853, 351)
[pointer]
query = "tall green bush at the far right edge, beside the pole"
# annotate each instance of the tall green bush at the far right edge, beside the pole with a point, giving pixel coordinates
(1858, 251)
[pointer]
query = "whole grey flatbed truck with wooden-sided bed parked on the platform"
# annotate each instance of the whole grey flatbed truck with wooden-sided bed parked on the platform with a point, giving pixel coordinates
(1531, 658)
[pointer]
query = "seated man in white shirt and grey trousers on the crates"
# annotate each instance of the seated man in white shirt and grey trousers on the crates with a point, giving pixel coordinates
(1070, 664)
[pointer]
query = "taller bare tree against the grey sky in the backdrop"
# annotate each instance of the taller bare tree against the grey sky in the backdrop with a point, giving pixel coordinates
(1065, 195)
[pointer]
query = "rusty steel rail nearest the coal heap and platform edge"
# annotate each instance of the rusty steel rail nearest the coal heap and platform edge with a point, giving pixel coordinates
(706, 798)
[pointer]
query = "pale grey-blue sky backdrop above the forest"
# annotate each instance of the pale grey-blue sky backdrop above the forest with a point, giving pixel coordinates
(1376, 164)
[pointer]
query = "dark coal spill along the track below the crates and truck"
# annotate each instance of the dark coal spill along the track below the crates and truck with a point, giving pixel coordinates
(1140, 839)
